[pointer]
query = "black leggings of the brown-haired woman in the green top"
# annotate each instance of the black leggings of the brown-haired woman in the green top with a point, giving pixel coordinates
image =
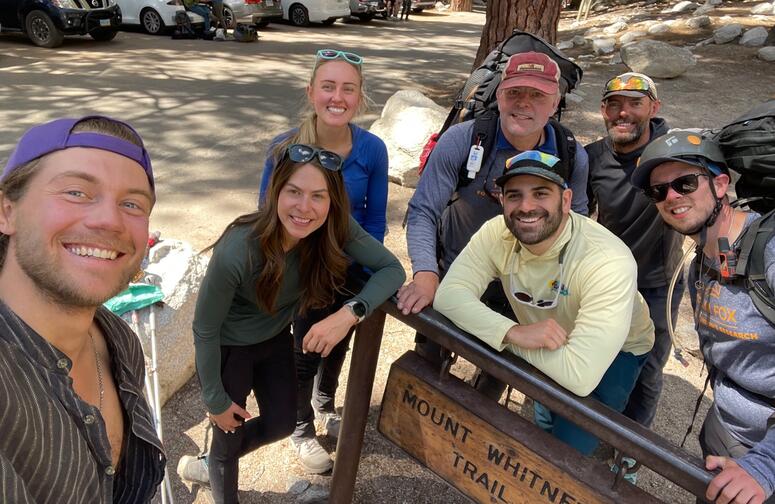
(268, 370)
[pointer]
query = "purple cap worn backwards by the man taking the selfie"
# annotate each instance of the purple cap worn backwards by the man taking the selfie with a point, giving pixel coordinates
(57, 135)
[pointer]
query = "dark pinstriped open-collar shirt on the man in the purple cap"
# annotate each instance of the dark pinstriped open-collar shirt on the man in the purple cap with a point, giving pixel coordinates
(54, 446)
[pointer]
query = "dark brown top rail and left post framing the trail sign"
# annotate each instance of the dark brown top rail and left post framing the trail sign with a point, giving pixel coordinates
(644, 445)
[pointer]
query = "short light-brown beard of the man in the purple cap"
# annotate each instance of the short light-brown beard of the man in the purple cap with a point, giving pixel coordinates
(54, 281)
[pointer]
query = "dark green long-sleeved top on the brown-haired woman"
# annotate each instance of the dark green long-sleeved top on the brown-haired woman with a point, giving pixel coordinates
(227, 312)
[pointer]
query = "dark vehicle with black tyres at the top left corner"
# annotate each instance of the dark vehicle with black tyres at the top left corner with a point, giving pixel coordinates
(46, 22)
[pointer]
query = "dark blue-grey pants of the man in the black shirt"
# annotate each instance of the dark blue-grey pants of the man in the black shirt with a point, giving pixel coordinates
(642, 406)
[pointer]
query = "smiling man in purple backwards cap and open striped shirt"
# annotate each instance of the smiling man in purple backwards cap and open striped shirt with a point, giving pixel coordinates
(75, 197)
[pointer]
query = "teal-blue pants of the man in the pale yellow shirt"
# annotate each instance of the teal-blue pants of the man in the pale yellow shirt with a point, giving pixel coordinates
(613, 391)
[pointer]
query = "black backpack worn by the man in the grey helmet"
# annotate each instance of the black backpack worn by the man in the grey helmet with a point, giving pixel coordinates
(748, 144)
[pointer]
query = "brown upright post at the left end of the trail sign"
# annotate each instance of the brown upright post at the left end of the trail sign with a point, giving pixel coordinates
(363, 365)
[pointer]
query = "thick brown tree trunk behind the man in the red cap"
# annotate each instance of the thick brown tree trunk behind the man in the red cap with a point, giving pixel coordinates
(539, 17)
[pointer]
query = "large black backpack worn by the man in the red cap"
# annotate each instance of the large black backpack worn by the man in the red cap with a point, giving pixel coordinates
(476, 100)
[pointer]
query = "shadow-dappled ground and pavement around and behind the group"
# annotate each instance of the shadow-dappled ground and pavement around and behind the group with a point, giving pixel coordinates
(211, 110)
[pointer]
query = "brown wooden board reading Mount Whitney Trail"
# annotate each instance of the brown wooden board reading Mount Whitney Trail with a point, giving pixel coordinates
(489, 453)
